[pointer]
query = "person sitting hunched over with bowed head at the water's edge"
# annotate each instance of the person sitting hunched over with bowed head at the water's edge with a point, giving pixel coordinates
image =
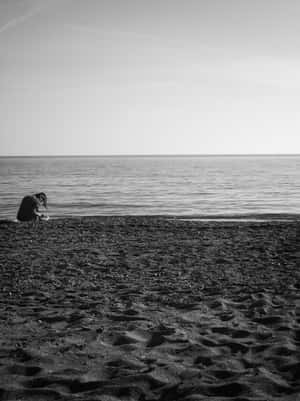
(29, 209)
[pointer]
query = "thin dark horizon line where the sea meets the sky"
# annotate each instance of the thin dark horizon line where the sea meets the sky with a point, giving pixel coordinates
(155, 155)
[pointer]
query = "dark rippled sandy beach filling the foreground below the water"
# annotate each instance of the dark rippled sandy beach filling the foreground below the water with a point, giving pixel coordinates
(145, 308)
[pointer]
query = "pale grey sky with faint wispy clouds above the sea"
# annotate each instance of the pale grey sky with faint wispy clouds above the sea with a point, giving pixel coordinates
(89, 77)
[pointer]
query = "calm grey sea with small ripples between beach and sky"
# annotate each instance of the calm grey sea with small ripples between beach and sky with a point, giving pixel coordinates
(78, 186)
